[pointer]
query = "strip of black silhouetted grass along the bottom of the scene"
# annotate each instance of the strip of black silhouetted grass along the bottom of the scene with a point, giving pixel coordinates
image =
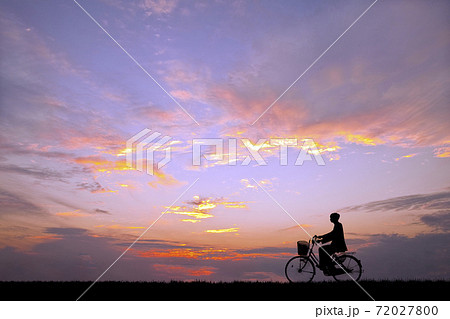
(240, 290)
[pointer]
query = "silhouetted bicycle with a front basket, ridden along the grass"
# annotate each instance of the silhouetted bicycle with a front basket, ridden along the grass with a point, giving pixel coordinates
(302, 268)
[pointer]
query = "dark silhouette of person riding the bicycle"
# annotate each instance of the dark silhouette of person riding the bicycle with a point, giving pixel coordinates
(336, 236)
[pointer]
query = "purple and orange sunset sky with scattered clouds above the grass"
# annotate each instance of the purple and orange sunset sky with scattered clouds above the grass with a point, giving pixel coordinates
(79, 79)
